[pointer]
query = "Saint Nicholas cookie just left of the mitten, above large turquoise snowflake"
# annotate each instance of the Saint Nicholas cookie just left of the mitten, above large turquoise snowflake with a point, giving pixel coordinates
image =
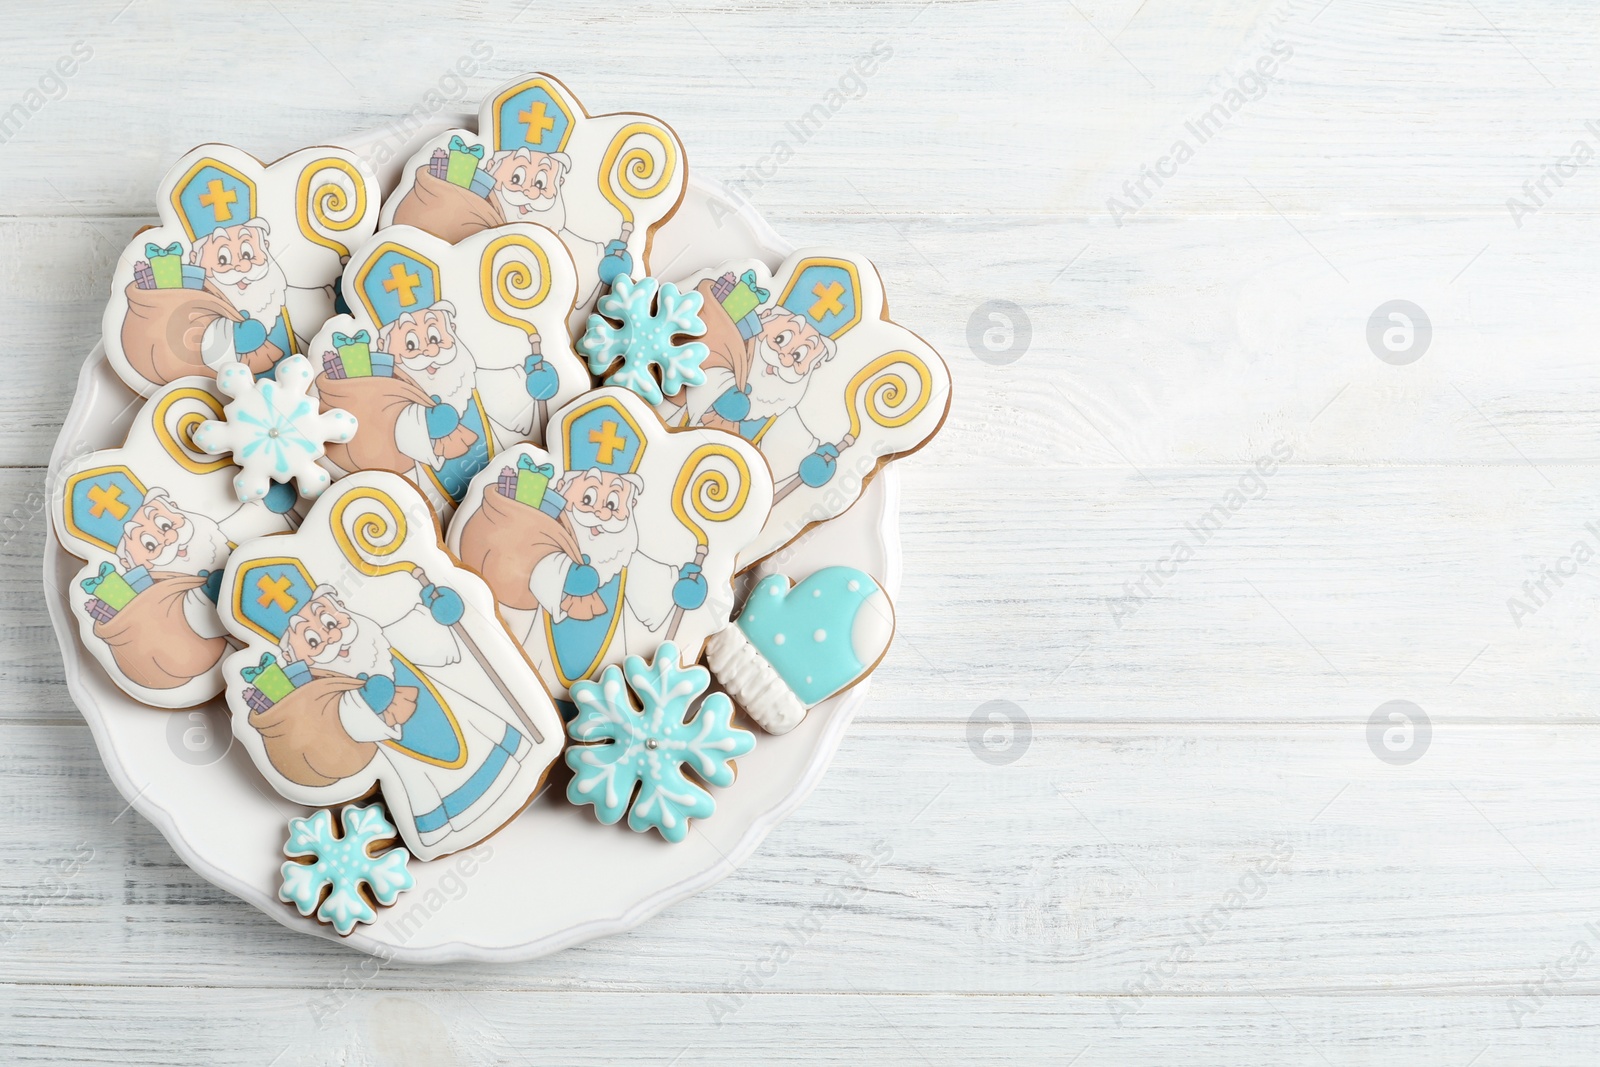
(622, 537)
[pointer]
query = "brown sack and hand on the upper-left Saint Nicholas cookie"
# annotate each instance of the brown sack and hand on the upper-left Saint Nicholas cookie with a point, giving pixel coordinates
(164, 329)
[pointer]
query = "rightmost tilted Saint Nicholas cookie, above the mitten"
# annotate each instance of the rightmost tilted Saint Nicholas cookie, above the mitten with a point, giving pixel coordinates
(807, 366)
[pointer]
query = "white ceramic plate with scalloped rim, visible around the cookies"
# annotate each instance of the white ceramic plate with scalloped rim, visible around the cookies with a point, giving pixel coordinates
(554, 877)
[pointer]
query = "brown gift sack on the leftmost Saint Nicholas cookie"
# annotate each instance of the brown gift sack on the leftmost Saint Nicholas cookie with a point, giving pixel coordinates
(151, 639)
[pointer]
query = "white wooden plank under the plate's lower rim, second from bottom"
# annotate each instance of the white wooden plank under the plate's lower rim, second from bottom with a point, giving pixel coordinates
(1276, 860)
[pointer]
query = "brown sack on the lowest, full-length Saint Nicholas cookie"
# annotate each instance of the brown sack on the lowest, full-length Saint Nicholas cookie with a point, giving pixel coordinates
(305, 738)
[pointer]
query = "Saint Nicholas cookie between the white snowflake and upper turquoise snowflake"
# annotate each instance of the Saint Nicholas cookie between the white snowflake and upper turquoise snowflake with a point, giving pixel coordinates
(452, 353)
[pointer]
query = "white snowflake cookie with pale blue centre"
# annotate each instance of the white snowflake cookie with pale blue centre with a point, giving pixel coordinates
(274, 431)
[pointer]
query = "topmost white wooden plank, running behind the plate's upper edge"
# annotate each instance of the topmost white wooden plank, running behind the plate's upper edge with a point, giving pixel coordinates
(1022, 108)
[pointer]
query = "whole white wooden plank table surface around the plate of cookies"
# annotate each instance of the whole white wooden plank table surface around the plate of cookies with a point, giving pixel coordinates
(1188, 847)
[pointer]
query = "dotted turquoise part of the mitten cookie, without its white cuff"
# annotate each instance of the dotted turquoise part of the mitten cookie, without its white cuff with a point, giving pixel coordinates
(822, 636)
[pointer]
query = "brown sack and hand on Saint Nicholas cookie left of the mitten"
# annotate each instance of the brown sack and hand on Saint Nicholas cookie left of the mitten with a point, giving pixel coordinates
(506, 540)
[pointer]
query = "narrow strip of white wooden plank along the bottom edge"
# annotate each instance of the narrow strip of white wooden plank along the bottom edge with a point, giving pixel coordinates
(446, 1029)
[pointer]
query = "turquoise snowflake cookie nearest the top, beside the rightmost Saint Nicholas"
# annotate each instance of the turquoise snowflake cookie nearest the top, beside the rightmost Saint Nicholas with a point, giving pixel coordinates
(646, 338)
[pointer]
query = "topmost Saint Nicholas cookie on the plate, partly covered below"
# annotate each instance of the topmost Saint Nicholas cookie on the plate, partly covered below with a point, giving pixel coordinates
(604, 183)
